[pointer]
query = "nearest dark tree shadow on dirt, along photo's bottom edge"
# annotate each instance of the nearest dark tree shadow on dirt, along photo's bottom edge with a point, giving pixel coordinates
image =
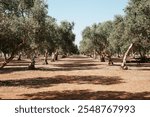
(87, 95)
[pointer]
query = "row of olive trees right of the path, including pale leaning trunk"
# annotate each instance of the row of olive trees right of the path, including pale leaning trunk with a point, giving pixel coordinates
(119, 36)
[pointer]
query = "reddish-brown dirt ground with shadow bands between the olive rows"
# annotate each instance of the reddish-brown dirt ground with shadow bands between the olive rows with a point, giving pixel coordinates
(76, 77)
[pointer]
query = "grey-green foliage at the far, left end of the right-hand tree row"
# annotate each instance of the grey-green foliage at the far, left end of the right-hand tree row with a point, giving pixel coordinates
(95, 38)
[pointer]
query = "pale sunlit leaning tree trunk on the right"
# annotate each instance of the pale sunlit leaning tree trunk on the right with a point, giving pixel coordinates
(123, 65)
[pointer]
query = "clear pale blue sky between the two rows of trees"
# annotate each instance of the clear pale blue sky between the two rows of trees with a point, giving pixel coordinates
(85, 12)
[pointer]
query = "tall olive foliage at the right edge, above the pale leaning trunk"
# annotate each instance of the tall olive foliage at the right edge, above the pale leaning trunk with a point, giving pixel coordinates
(138, 24)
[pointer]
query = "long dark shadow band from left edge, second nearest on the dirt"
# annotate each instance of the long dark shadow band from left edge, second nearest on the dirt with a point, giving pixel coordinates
(51, 81)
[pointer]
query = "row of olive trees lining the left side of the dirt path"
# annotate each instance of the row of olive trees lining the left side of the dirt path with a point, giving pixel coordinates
(26, 27)
